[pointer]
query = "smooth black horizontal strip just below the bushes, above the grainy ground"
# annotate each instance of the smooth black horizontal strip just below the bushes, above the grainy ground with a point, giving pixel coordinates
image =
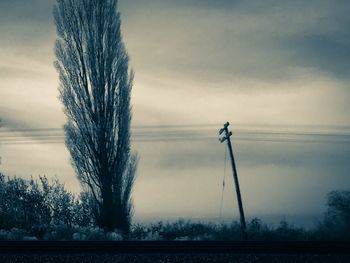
(174, 247)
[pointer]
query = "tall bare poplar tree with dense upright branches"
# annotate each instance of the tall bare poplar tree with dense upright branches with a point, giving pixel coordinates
(95, 86)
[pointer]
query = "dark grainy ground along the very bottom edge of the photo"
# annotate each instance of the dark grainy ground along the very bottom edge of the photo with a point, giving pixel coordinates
(168, 258)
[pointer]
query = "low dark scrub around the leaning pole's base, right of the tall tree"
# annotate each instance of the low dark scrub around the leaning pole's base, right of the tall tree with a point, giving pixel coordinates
(187, 230)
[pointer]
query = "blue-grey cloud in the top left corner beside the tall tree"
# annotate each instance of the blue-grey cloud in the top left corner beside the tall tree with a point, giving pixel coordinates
(27, 28)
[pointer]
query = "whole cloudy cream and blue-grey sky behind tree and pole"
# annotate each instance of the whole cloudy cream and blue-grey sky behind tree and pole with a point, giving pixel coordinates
(267, 67)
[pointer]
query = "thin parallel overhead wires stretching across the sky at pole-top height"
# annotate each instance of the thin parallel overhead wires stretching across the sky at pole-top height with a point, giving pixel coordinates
(194, 132)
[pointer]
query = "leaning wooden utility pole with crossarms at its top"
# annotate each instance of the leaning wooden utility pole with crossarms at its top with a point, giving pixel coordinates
(226, 137)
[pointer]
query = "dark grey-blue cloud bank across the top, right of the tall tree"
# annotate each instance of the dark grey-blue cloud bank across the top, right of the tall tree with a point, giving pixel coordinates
(261, 40)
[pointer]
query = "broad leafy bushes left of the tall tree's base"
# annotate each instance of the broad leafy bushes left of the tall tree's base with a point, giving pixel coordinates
(36, 206)
